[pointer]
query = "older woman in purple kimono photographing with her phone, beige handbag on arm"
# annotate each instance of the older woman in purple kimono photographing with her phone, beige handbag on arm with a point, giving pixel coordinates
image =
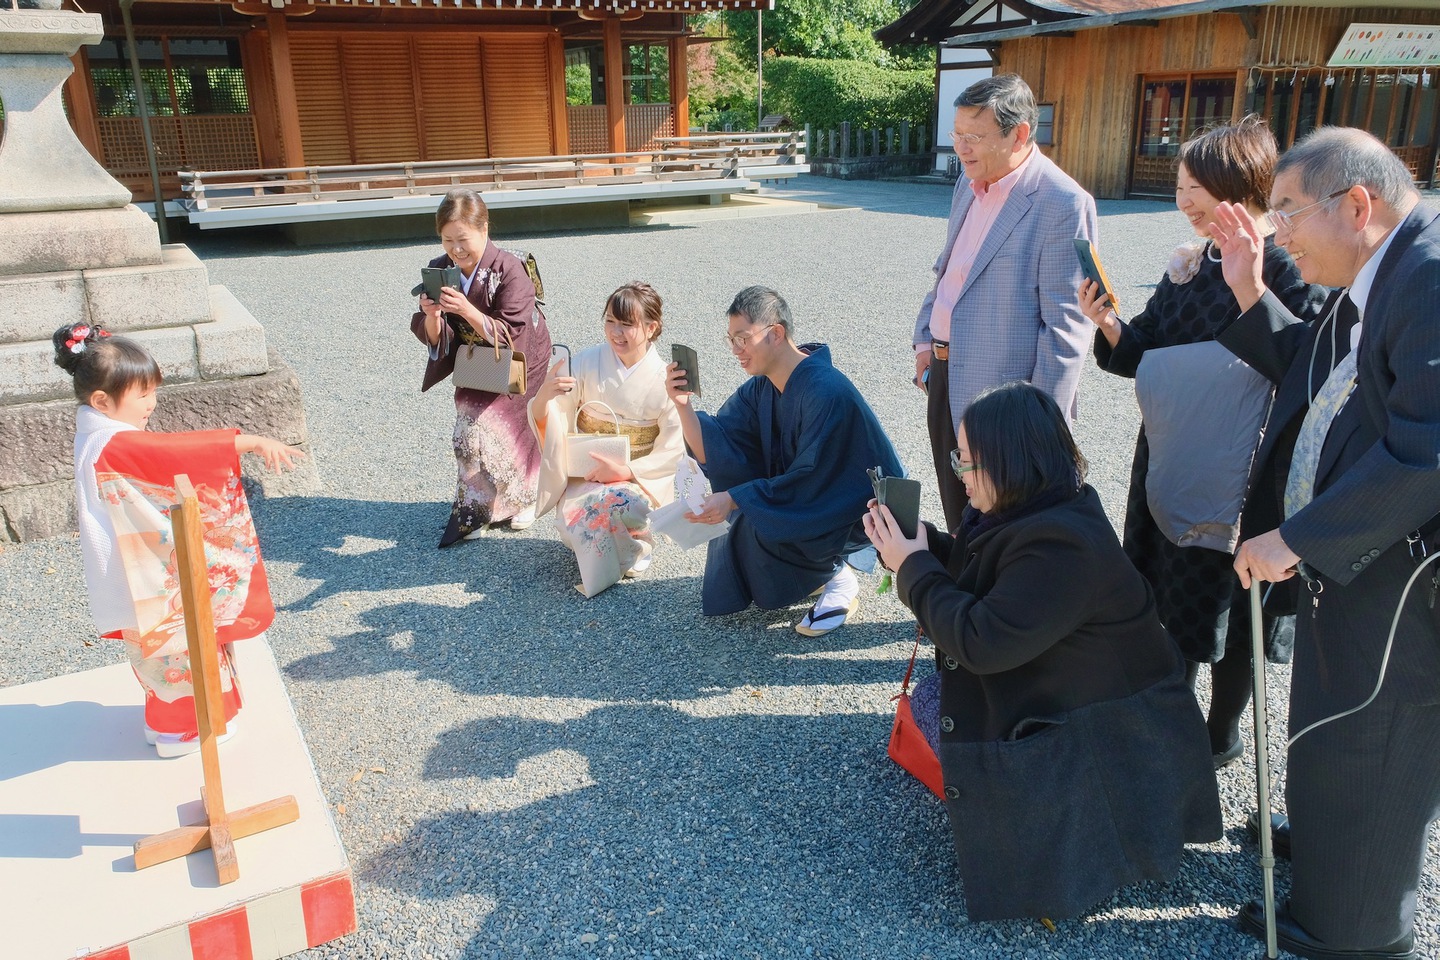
(496, 451)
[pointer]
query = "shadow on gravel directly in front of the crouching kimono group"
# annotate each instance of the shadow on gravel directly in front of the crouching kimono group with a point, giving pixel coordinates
(508, 617)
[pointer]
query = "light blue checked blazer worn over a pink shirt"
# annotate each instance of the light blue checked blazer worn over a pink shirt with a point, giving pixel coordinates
(1019, 314)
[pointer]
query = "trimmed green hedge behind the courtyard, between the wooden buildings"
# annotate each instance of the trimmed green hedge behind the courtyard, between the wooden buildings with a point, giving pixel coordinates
(829, 93)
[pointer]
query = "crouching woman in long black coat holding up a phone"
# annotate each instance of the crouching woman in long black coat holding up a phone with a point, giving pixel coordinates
(1075, 758)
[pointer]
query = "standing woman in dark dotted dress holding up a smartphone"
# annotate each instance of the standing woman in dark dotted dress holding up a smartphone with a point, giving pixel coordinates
(1199, 597)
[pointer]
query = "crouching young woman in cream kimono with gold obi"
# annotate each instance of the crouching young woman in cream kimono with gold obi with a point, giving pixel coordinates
(604, 516)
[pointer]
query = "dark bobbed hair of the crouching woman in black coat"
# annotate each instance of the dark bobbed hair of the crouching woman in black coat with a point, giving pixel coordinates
(1019, 437)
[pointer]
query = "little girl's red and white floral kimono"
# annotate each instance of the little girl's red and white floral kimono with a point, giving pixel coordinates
(125, 489)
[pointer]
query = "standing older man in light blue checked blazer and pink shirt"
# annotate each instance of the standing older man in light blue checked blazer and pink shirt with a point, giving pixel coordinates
(1004, 304)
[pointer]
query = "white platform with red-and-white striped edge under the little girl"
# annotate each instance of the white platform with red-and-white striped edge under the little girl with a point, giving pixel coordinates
(78, 787)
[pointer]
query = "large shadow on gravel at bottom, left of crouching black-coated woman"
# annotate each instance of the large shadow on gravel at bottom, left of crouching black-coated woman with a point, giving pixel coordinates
(669, 834)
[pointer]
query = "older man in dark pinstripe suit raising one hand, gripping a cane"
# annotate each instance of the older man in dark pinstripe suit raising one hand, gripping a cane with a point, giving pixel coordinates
(1353, 451)
